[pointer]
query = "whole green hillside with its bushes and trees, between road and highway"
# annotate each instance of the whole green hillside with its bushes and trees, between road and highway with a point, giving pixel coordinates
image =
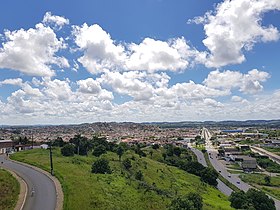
(127, 177)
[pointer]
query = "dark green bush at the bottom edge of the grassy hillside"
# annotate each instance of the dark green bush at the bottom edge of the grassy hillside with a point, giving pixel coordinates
(191, 201)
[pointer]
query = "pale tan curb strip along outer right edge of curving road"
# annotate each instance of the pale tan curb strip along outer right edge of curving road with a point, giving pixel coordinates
(58, 188)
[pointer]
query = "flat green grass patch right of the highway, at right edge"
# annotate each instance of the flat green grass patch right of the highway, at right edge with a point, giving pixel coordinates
(257, 180)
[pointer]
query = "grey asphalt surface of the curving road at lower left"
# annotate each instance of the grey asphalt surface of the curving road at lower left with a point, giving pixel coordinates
(44, 197)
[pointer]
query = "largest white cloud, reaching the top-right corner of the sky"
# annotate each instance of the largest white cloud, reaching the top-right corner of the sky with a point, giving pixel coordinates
(235, 26)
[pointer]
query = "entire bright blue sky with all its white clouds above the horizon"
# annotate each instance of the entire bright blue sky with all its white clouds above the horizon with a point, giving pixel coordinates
(65, 62)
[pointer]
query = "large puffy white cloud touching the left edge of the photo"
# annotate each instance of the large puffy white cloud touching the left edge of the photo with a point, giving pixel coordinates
(32, 51)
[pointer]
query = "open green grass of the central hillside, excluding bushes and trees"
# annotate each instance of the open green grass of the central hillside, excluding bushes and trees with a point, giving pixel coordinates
(120, 190)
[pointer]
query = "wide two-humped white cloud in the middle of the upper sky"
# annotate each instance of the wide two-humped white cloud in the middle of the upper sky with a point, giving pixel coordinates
(101, 52)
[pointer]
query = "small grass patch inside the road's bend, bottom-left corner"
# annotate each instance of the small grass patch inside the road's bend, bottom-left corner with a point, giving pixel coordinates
(9, 190)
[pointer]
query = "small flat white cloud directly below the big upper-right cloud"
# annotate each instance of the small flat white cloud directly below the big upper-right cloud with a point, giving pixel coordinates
(248, 83)
